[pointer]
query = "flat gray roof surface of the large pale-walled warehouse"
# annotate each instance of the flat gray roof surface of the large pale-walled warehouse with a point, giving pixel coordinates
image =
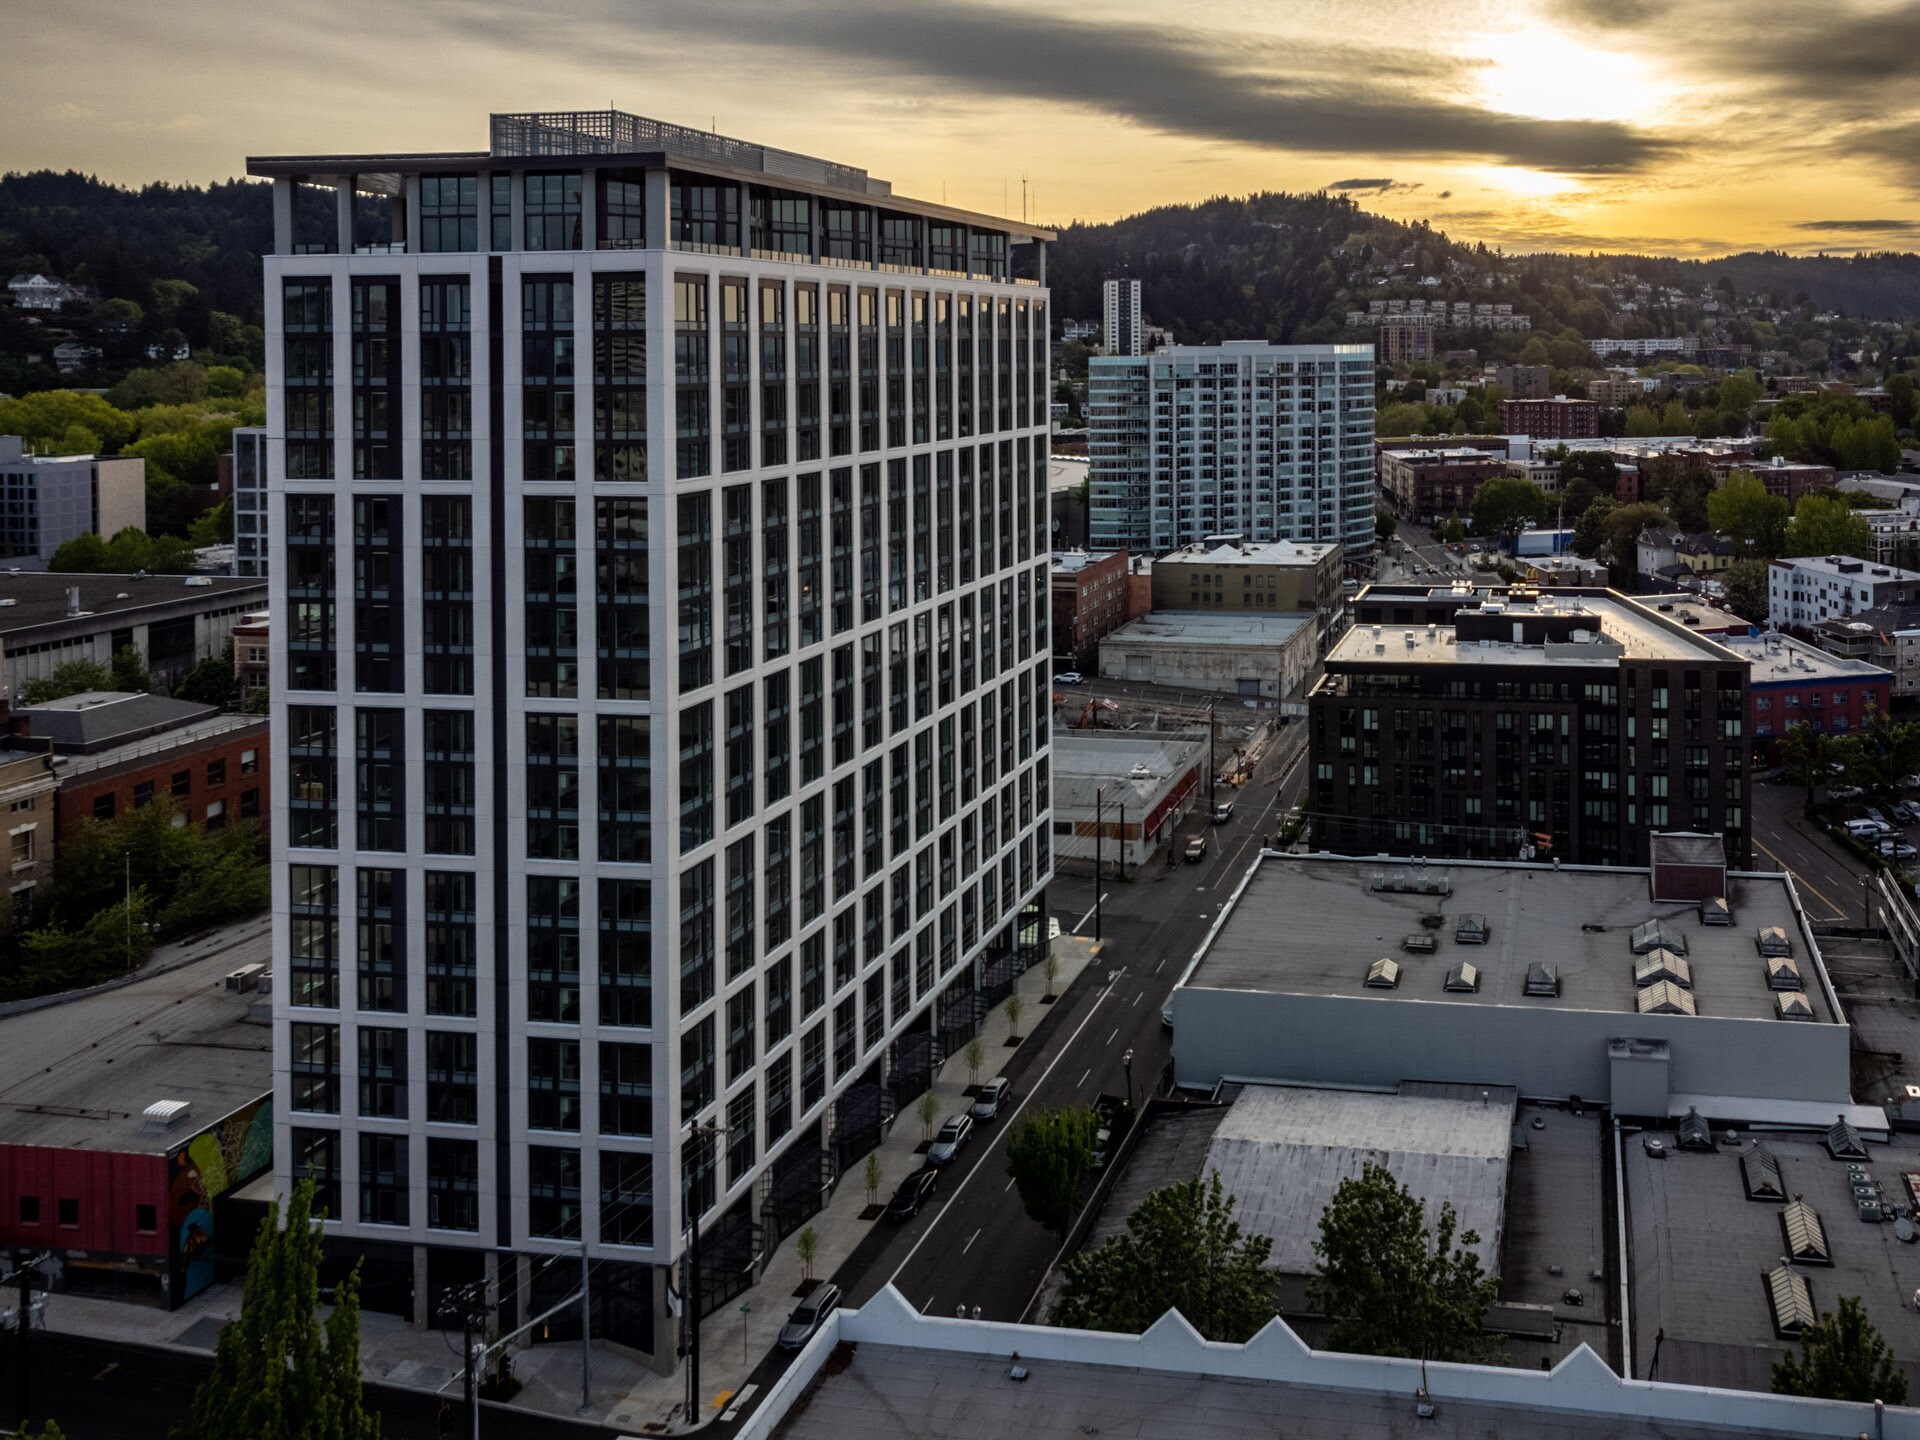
(1310, 924)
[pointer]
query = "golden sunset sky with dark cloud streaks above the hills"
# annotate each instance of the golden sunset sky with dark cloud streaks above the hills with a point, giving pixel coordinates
(1687, 130)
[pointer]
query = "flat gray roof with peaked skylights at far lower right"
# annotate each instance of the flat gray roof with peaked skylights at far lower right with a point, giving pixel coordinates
(1700, 1247)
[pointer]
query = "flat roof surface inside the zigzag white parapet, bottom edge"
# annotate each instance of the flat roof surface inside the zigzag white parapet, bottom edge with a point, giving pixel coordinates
(888, 1393)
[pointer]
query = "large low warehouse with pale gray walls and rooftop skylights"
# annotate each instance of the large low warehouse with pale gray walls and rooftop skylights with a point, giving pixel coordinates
(1629, 988)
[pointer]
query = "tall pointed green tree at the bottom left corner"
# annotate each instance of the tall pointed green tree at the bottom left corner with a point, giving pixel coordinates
(279, 1370)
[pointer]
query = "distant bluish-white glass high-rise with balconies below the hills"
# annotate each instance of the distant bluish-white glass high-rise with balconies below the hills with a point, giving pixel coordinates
(1266, 443)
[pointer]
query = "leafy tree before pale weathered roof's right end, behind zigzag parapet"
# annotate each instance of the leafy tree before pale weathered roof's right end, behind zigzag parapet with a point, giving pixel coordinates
(1393, 1285)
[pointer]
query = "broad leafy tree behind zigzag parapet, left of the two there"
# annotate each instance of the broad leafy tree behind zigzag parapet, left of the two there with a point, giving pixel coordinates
(1184, 1251)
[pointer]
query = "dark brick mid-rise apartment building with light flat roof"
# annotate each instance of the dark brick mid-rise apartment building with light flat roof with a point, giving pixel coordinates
(1497, 723)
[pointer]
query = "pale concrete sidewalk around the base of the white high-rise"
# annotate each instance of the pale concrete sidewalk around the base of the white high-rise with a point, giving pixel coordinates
(625, 1395)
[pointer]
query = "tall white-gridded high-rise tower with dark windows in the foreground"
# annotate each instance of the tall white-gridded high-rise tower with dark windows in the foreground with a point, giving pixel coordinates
(661, 694)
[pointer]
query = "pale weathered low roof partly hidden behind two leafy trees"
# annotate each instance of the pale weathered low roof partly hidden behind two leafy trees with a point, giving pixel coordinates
(1284, 1151)
